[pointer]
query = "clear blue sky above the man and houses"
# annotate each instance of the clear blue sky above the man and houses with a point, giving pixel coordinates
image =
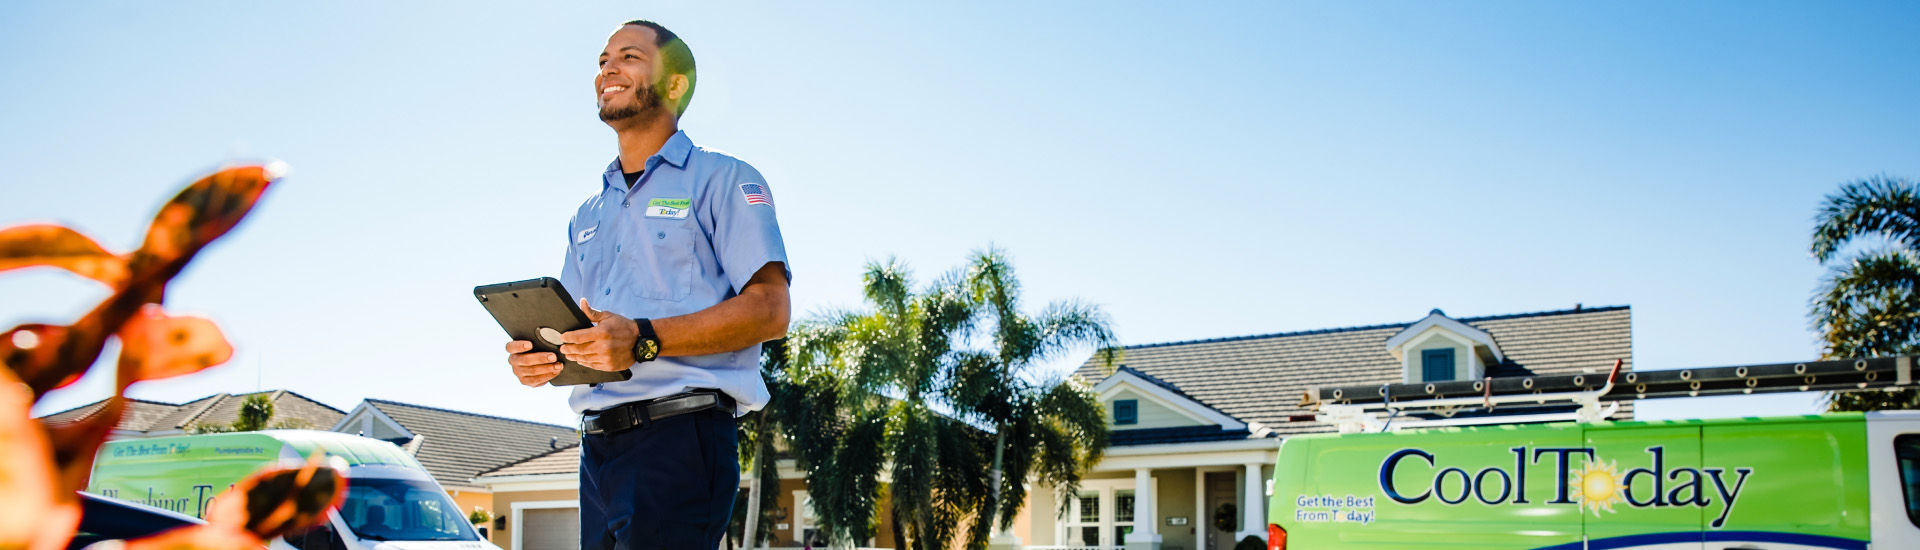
(1216, 170)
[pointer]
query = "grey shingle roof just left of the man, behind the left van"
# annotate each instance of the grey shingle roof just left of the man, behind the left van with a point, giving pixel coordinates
(460, 445)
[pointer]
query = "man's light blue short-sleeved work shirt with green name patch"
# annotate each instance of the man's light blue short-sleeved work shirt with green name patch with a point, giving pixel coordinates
(690, 234)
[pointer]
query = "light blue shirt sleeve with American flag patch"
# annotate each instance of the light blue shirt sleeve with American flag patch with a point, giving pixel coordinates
(746, 234)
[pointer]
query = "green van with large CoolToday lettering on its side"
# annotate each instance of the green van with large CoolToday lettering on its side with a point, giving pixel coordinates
(1813, 482)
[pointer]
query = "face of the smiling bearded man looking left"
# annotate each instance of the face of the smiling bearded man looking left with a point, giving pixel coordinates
(631, 76)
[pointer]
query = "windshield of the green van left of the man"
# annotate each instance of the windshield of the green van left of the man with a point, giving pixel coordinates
(402, 511)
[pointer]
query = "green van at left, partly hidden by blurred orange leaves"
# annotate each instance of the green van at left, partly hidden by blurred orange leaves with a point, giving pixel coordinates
(393, 503)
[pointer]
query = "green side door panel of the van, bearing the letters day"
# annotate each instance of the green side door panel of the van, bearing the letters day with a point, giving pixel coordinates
(1643, 482)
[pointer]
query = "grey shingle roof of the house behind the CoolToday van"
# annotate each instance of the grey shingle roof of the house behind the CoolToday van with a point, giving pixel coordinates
(1262, 378)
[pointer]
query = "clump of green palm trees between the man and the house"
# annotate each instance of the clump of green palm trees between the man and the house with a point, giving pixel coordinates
(900, 389)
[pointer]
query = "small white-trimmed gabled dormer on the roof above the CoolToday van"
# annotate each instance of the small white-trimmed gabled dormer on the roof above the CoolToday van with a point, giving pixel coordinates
(1441, 349)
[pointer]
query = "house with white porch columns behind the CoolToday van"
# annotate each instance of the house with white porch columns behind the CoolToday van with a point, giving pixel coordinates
(1197, 426)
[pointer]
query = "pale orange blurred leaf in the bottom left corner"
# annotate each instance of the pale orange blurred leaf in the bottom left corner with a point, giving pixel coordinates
(36, 512)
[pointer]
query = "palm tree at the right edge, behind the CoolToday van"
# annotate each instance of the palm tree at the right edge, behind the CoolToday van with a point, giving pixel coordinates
(1869, 305)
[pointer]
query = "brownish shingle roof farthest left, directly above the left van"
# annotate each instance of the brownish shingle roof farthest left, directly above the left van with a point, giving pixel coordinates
(149, 416)
